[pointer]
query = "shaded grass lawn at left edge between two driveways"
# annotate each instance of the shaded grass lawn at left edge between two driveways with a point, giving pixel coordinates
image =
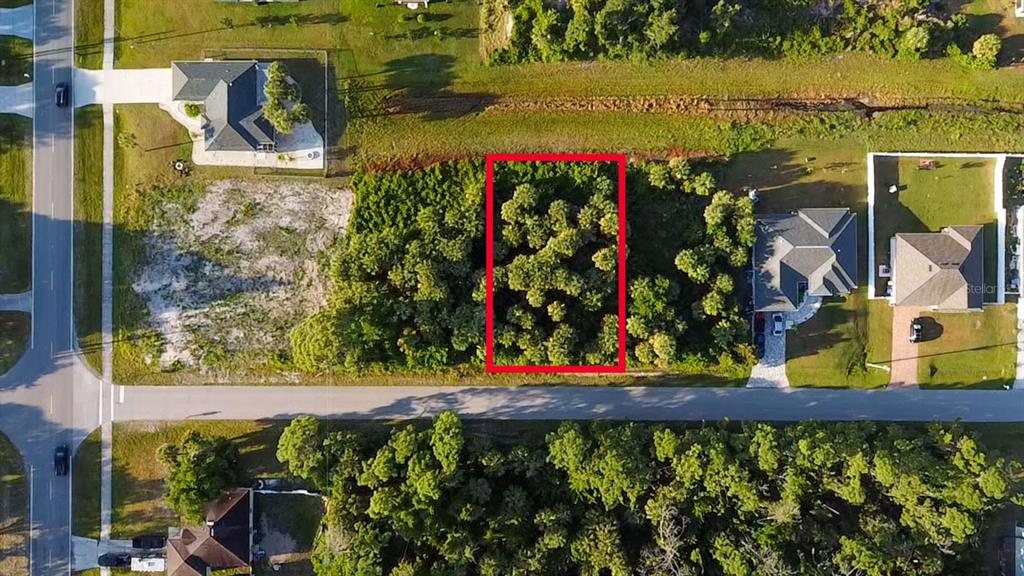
(16, 203)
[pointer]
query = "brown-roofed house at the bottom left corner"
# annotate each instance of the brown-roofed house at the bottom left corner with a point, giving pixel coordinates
(225, 542)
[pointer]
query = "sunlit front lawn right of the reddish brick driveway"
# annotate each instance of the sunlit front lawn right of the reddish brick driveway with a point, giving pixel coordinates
(975, 350)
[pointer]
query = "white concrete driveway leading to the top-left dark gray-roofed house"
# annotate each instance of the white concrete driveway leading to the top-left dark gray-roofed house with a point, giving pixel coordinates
(150, 86)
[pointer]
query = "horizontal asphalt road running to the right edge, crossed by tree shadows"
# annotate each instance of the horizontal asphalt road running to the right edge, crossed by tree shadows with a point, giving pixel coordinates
(169, 403)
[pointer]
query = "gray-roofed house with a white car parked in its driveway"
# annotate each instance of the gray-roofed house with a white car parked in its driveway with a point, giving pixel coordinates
(810, 252)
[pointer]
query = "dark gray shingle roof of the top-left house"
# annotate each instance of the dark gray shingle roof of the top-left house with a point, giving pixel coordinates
(233, 93)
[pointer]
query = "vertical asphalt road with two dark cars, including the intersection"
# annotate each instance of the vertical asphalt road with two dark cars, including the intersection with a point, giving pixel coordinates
(49, 398)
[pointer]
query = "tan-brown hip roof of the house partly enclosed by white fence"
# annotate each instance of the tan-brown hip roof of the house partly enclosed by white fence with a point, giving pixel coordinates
(943, 270)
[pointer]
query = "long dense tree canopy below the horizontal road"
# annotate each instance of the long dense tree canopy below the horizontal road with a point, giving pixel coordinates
(624, 500)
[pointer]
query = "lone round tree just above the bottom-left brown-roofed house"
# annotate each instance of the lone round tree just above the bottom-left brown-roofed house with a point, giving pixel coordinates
(201, 469)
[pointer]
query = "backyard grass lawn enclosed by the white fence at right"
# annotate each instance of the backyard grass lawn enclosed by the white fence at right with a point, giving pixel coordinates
(958, 192)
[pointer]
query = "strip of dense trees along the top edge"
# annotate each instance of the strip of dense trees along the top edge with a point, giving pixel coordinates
(630, 29)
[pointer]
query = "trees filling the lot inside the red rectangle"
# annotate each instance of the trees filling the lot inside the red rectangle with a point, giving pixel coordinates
(557, 264)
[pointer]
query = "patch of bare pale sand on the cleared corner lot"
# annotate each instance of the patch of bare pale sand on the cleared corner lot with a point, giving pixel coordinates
(237, 269)
